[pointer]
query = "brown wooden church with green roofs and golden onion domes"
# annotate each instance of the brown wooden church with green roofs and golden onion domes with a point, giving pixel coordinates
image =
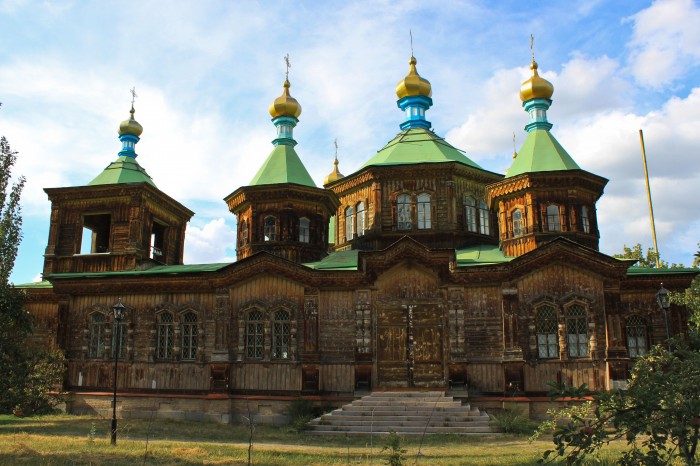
(421, 270)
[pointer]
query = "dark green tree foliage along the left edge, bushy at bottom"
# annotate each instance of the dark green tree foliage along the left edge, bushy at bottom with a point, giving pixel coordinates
(27, 375)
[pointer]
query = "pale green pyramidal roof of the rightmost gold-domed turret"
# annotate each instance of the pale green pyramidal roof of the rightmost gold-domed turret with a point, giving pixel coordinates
(541, 152)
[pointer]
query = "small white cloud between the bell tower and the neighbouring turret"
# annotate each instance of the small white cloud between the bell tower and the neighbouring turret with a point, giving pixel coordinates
(211, 243)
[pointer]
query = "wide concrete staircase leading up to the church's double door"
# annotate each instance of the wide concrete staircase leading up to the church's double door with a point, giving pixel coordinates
(407, 413)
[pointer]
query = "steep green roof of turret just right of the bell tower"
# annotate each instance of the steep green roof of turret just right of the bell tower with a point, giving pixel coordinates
(283, 166)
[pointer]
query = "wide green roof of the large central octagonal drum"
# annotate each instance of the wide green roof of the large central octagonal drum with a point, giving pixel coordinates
(418, 145)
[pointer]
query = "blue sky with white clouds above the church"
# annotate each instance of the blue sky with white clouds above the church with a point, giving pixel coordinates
(206, 71)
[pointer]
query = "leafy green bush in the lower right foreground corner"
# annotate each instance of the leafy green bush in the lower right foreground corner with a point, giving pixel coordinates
(658, 415)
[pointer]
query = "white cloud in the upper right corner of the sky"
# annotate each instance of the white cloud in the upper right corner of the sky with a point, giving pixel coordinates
(665, 42)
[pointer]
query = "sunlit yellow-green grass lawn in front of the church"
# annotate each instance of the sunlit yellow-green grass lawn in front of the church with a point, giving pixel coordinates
(65, 440)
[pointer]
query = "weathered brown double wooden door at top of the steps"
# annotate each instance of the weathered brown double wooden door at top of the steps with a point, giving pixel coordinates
(410, 346)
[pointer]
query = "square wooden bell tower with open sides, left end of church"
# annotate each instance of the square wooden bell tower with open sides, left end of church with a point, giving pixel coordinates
(119, 221)
